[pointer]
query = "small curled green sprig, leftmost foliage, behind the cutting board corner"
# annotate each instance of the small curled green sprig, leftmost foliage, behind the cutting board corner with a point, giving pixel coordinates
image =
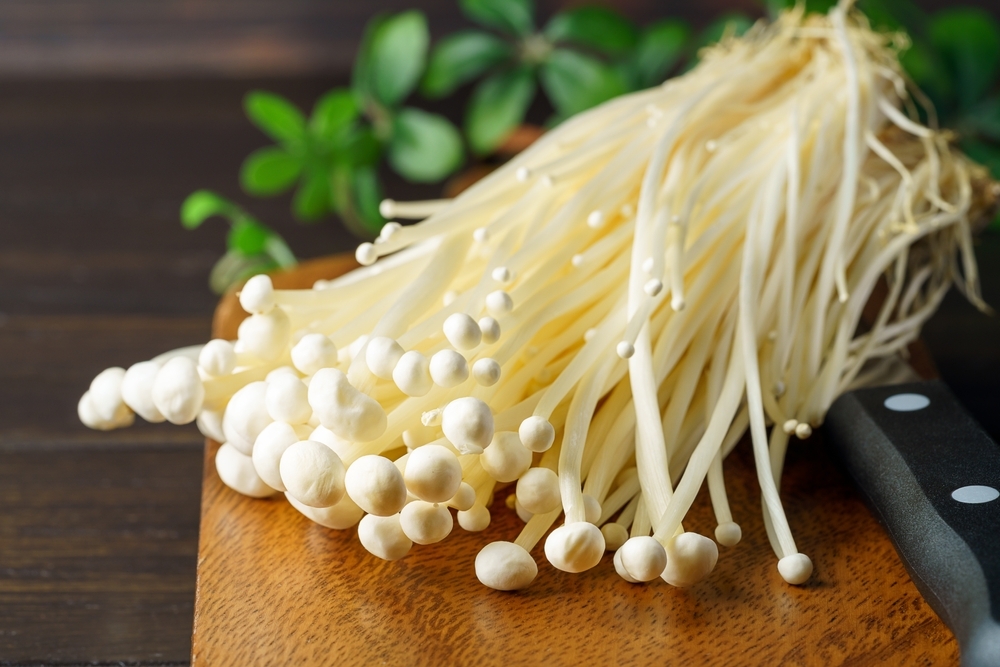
(251, 246)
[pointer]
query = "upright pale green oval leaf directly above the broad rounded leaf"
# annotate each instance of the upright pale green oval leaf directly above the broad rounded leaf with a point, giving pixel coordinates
(397, 55)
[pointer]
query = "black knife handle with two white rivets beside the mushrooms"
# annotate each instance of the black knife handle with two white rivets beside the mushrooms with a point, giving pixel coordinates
(931, 475)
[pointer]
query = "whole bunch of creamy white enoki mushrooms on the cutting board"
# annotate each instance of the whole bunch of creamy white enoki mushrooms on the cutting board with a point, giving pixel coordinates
(601, 320)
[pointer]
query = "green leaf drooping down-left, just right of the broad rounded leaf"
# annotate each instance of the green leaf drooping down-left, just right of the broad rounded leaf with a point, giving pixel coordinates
(497, 106)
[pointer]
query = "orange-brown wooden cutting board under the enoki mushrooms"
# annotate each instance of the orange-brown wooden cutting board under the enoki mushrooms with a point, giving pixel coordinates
(276, 589)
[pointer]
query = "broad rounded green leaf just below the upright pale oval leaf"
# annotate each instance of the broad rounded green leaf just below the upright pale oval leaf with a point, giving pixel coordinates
(425, 147)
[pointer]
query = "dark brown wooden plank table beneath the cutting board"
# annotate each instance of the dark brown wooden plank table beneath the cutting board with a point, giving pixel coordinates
(98, 531)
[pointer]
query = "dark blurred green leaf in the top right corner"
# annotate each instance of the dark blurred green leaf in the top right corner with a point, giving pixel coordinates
(968, 40)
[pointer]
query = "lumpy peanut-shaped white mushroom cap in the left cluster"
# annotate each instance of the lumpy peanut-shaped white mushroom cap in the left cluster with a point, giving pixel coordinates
(343, 409)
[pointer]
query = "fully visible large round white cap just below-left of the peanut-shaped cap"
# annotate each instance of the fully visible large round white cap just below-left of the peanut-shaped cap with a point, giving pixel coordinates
(312, 473)
